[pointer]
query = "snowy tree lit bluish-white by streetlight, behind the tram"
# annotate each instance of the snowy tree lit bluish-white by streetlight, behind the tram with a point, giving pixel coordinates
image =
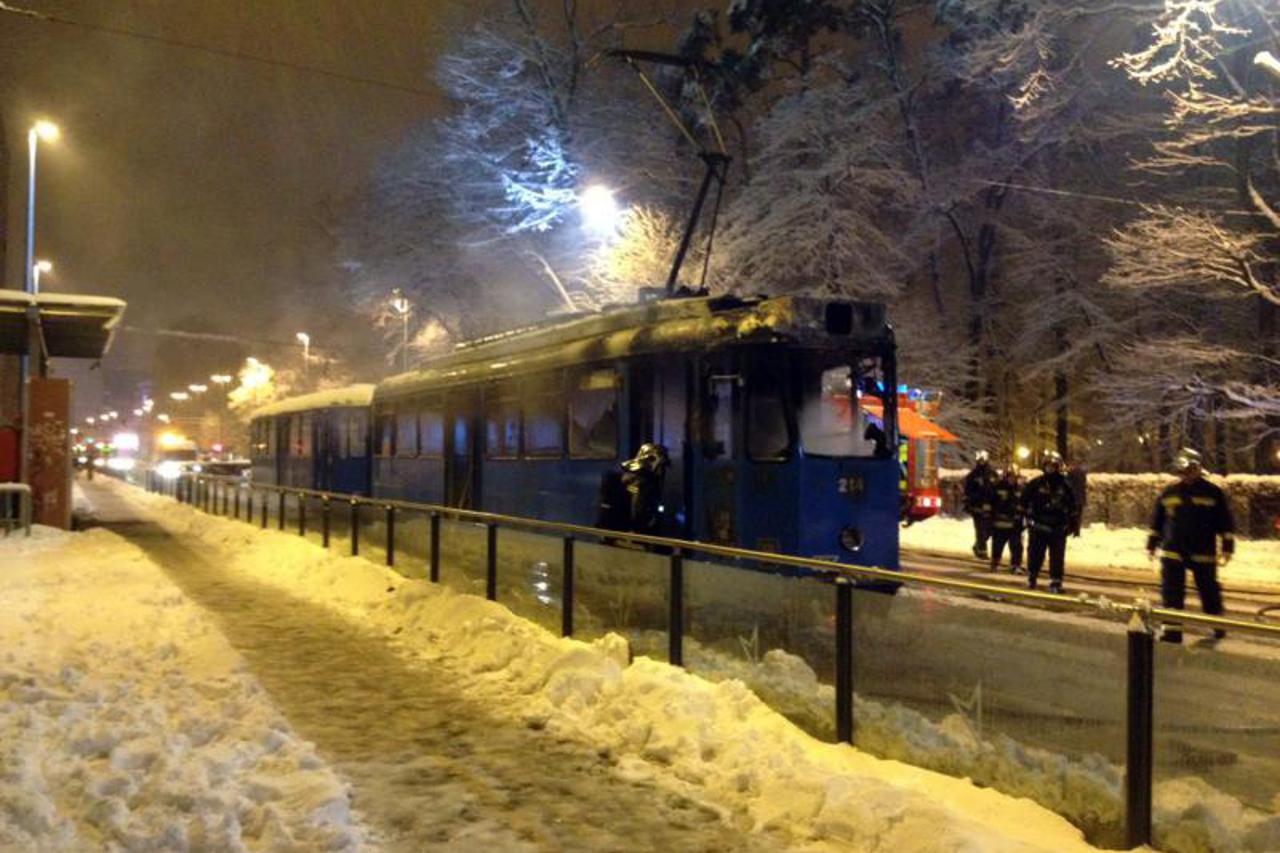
(481, 207)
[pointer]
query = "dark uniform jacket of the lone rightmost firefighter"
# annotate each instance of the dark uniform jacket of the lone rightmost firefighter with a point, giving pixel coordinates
(1188, 519)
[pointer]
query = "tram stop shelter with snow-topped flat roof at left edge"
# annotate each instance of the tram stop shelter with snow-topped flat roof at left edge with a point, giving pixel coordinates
(35, 409)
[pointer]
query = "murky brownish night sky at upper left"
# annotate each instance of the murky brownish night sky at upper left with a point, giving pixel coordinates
(203, 188)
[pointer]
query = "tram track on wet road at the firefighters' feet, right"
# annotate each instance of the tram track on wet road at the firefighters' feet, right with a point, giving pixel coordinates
(1247, 601)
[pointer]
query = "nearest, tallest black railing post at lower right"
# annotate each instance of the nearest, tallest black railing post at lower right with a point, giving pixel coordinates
(1141, 723)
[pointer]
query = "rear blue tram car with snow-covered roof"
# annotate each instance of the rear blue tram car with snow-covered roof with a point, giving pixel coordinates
(316, 441)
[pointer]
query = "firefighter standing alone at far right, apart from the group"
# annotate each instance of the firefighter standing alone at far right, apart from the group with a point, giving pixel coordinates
(1190, 518)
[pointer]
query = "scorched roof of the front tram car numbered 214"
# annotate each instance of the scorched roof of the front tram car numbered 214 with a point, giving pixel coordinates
(664, 326)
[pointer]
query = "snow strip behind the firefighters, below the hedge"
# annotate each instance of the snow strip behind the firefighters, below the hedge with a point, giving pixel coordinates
(1256, 563)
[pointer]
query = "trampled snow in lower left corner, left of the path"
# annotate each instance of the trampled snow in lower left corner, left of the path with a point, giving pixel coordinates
(129, 723)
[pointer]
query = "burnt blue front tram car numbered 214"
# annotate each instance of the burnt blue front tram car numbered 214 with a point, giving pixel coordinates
(760, 404)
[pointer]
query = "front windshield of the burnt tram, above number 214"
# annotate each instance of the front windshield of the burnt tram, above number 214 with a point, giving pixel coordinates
(843, 410)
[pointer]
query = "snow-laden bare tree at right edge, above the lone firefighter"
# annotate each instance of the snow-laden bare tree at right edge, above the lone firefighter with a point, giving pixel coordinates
(1209, 244)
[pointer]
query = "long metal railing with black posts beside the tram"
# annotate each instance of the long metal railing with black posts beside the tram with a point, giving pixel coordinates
(253, 503)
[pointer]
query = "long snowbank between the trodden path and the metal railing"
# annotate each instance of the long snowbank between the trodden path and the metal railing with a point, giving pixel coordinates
(716, 743)
